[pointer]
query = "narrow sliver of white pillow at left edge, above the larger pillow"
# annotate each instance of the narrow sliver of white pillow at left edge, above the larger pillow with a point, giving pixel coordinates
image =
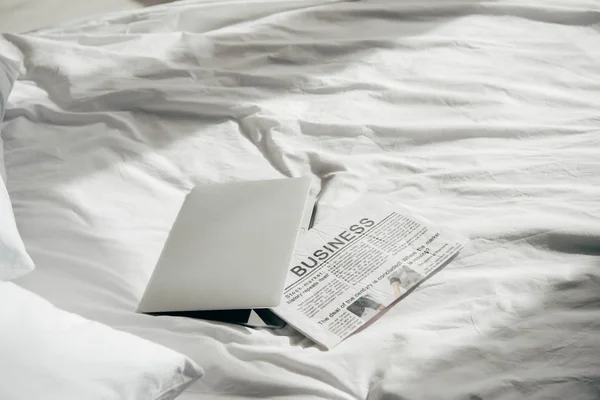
(14, 260)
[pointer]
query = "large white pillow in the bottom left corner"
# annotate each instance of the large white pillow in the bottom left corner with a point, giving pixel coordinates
(47, 353)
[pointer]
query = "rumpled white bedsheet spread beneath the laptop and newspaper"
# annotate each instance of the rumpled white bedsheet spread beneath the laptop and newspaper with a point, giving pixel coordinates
(481, 116)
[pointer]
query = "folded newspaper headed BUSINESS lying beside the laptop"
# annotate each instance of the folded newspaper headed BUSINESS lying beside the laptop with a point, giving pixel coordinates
(348, 269)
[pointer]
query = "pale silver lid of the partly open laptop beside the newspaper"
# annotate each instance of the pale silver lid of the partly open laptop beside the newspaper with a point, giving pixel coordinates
(230, 247)
